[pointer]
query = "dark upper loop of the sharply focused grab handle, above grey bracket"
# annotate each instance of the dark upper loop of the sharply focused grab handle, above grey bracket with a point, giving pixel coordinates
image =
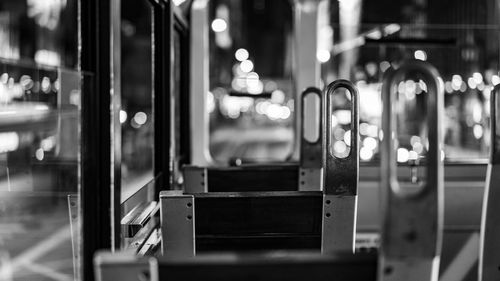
(341, 174)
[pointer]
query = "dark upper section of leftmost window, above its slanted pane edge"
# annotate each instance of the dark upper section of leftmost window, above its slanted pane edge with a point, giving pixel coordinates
(42, 32)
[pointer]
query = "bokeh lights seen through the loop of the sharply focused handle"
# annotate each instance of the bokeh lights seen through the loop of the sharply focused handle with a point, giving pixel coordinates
(340, 131)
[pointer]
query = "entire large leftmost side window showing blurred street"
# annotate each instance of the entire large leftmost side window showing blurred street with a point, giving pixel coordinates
(40, 97)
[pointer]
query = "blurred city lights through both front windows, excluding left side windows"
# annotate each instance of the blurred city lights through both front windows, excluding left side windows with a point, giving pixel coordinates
(251, 52)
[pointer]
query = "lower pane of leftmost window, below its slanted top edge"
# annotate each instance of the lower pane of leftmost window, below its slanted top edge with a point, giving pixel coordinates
(39, 172)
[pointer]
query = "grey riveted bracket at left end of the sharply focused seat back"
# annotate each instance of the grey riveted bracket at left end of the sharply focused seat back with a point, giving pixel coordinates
(177, 224)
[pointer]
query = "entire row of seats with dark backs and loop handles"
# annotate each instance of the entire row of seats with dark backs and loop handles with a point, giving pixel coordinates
(302, 218)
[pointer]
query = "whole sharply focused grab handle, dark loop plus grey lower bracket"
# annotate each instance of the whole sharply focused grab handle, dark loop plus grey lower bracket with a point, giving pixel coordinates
(340, 177)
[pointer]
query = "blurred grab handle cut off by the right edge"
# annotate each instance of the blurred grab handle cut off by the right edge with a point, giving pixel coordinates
(489, 257)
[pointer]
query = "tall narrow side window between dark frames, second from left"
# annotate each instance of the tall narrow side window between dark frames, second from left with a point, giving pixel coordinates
(136, 118)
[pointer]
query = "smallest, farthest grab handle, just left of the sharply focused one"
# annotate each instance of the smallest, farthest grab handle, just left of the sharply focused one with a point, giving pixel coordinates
(311, 152)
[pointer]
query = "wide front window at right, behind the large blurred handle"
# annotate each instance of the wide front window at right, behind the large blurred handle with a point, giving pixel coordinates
(460, 38)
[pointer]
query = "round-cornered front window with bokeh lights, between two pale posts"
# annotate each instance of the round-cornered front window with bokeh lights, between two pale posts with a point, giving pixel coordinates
(250, 101)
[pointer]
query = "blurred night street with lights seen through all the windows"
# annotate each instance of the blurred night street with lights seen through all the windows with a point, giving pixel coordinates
(251, 98)
